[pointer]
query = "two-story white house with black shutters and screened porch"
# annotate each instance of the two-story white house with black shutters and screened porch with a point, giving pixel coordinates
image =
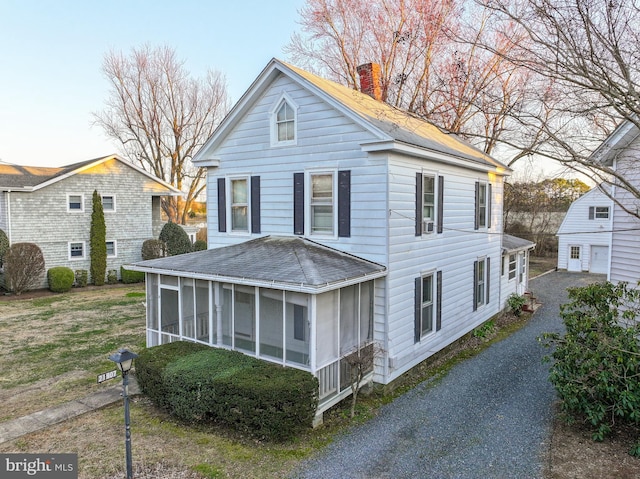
(335, 221)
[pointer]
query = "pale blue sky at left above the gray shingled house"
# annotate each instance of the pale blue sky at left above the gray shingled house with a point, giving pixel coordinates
(51, 54)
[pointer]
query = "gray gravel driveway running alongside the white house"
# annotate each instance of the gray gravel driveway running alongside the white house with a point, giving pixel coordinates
(490, 417)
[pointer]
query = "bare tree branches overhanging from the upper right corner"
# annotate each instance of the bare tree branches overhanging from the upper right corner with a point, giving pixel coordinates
(589, 50)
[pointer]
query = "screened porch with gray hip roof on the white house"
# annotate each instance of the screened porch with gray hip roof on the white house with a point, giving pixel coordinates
(286, 300)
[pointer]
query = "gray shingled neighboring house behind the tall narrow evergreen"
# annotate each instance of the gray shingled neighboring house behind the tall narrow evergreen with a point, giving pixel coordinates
(52, 206)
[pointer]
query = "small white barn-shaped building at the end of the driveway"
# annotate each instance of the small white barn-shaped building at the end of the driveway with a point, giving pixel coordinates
(584, 237)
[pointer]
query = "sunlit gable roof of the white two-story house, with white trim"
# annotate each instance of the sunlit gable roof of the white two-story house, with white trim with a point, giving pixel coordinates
(392, 128)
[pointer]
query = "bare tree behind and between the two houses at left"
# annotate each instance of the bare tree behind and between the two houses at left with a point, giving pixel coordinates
(161, 117)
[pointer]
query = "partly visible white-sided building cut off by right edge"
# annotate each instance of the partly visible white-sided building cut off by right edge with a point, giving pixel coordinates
(621, 151)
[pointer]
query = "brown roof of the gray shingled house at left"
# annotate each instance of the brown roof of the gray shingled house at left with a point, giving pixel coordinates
(32, 178)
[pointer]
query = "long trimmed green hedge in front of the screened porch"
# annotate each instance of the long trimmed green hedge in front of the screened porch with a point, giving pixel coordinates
(262, 399)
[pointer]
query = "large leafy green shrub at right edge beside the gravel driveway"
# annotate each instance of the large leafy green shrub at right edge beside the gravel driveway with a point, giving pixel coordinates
(596, 362)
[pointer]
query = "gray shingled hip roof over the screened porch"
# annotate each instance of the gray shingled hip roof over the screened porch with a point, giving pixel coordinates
(289, 263)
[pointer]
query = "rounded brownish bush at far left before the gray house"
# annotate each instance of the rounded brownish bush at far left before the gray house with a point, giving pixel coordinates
(23, 267)
